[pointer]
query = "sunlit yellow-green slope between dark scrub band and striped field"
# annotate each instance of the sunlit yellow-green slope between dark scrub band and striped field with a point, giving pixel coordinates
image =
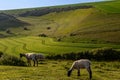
(85, 23)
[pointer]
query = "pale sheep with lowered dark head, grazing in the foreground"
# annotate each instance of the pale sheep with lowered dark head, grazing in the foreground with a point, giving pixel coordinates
(80, 64)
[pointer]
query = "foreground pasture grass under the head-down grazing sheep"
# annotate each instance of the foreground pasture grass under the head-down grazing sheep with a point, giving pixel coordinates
(57, 70)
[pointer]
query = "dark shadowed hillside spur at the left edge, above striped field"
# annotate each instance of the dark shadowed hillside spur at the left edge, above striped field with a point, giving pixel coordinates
(8, 21)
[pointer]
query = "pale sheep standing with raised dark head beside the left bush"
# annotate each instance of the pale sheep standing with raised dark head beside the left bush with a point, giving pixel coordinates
(32, 56)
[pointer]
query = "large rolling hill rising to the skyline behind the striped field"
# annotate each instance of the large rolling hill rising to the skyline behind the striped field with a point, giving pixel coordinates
(96, 22)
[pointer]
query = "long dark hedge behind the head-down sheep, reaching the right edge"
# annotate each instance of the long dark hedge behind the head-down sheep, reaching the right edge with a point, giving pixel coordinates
(102, 54)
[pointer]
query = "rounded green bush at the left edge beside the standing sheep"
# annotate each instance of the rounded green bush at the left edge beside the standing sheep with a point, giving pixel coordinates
(11, 60)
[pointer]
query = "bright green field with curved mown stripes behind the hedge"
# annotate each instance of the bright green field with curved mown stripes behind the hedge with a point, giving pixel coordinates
(47, 46)
